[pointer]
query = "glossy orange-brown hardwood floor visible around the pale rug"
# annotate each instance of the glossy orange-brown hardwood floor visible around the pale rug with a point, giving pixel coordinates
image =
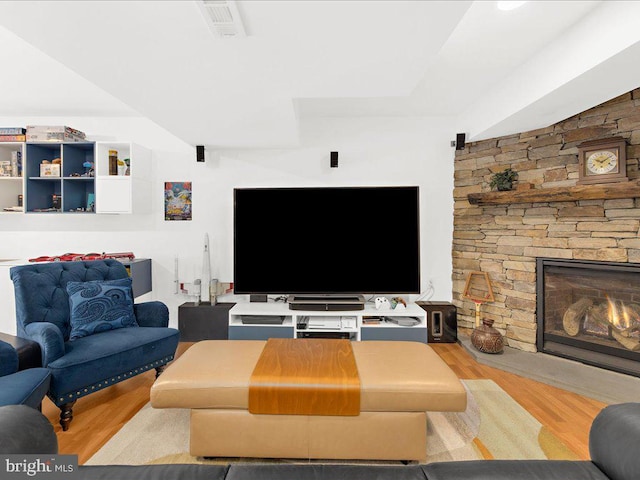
(100, 415)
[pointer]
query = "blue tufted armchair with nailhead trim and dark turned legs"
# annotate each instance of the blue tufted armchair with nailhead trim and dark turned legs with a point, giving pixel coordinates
(80, 366)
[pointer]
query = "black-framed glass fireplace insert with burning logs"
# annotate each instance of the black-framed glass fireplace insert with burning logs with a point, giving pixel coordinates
(590, 311)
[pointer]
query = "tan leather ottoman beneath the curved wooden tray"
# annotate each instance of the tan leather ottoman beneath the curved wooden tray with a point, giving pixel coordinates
(399, 381)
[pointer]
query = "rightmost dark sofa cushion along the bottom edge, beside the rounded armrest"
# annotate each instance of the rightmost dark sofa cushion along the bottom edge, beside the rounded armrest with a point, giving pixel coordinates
(513, 469)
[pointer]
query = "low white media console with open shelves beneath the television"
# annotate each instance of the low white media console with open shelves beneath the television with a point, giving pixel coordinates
(260, 321)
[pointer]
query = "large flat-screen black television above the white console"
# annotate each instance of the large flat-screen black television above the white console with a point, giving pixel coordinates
(326, 240)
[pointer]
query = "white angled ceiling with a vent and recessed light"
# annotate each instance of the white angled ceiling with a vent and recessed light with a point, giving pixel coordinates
(492, 72)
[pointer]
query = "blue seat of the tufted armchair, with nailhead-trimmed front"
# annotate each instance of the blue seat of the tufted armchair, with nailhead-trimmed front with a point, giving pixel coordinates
(116, 355)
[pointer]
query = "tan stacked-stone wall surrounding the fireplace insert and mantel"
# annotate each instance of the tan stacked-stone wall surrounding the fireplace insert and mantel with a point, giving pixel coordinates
(504, 240)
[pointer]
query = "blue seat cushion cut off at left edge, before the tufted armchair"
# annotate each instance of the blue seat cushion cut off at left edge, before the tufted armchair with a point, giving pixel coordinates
(26, 387)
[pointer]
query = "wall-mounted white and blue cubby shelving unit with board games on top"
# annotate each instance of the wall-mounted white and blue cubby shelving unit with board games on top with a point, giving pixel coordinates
(72, 190)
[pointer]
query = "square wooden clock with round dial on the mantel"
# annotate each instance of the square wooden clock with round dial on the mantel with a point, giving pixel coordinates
(602, 161)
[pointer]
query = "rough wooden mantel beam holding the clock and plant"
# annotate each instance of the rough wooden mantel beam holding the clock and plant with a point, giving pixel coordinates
(558, 194)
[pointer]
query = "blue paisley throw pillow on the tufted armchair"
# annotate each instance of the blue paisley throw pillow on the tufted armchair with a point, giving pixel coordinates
(100, 305)
